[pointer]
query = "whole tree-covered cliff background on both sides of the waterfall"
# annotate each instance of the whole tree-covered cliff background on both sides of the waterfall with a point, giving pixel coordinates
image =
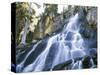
(50, 21)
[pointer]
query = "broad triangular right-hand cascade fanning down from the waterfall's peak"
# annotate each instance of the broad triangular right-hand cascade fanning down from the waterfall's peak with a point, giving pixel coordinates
(77, 49)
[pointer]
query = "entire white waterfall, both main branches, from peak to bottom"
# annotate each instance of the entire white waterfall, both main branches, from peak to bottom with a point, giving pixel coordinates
(70, 46)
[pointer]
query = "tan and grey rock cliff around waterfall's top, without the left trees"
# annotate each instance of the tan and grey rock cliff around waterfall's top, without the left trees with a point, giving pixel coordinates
(52, 24)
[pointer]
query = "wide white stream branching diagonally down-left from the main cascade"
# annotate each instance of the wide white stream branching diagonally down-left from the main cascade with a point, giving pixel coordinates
(39, 63)
